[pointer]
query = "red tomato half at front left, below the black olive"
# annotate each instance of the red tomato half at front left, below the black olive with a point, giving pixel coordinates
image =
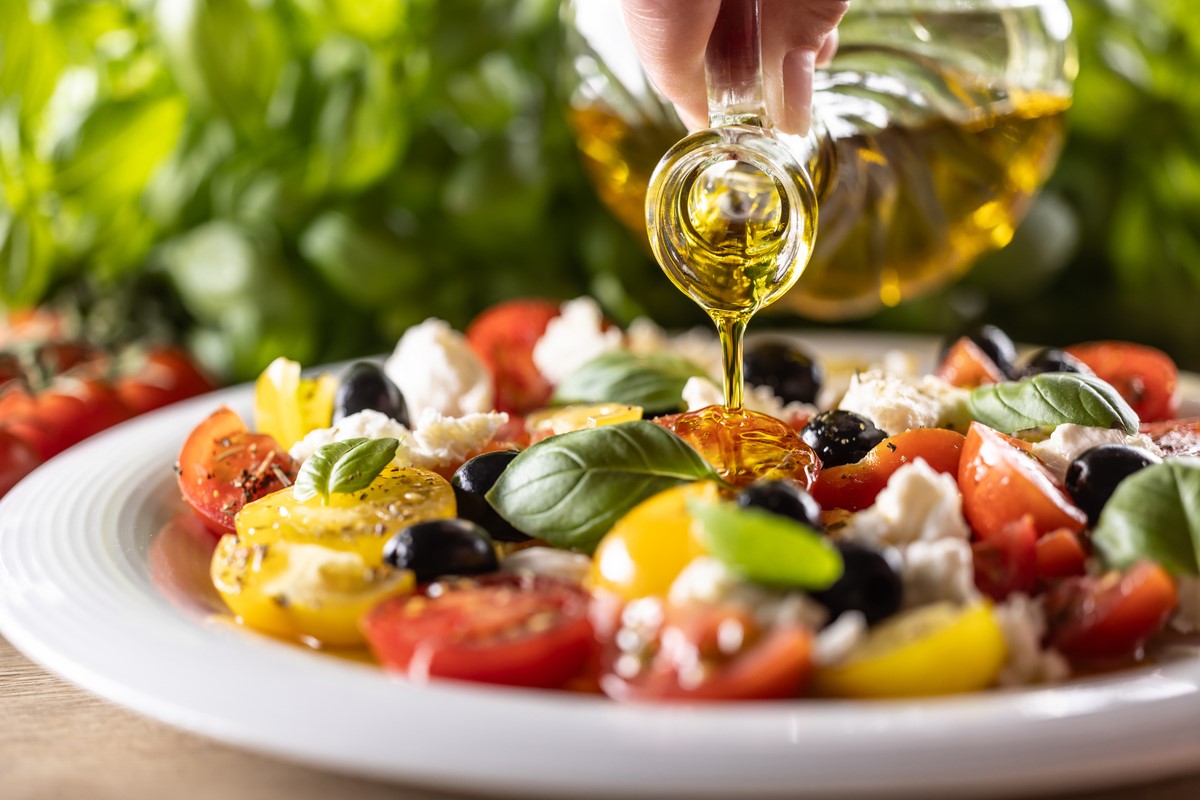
(500, 629)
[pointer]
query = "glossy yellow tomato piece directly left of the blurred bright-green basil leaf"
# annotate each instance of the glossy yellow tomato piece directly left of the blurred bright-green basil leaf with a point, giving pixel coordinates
(649, 548)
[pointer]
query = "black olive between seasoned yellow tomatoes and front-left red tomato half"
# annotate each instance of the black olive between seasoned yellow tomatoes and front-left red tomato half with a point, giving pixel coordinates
(440, 548)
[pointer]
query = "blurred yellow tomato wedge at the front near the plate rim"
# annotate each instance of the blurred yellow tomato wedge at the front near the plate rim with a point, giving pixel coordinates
(938, 649)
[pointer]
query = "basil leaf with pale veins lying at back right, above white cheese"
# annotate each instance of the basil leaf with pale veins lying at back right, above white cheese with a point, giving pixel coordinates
(1051, 400)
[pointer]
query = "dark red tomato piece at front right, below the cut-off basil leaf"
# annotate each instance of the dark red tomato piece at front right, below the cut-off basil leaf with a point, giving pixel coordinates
(1111, 617)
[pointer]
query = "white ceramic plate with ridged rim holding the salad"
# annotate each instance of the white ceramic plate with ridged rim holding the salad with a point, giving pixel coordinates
(88, 592)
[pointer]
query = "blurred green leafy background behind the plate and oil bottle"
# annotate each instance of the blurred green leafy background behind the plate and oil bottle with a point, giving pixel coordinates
(311, 177)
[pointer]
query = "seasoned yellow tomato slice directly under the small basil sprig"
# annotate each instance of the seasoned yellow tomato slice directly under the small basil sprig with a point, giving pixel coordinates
(359, 522)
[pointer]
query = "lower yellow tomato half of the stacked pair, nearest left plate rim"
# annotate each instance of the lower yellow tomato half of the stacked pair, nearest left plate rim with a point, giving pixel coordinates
(303, 592)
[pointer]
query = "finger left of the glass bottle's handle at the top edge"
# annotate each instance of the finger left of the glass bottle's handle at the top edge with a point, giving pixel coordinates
(670, 38)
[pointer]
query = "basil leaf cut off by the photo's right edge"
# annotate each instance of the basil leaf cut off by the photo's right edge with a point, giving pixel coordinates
(1155, 514)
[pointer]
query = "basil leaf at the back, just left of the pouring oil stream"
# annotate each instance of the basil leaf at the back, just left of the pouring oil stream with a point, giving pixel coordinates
(651, 381)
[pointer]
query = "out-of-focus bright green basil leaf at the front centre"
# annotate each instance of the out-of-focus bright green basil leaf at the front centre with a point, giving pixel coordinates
(769, 549)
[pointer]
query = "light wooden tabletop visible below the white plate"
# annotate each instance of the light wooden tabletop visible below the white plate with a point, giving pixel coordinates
(61, 742)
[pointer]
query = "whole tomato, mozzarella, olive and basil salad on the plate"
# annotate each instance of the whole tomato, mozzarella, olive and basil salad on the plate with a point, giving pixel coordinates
(548, 501)
